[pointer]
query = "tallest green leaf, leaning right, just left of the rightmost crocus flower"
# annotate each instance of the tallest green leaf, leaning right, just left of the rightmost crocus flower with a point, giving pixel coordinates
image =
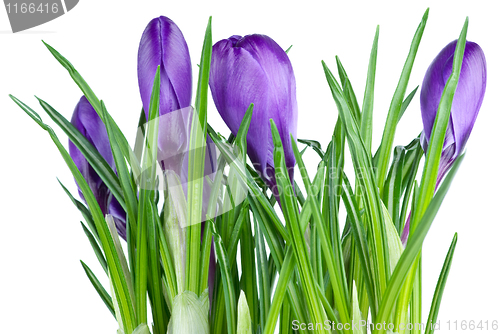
(396, 105)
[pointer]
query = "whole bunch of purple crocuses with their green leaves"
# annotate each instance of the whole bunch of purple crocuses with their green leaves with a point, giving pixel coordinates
(220, 238)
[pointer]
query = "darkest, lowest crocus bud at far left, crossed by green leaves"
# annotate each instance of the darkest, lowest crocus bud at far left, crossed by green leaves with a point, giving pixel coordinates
(87, 121)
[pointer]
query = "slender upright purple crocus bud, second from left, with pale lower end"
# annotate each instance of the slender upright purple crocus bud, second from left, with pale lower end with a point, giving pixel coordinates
(162, 44)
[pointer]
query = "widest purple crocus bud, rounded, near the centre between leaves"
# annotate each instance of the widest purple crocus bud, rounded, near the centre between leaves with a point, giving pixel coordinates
(255, 69)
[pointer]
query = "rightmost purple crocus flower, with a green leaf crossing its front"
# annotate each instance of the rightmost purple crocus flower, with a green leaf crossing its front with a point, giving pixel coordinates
(465, 107)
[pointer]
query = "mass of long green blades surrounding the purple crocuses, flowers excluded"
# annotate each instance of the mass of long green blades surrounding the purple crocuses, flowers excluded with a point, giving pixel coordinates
(306, 268)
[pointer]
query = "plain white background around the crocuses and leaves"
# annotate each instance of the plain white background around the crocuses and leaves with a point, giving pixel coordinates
(42, 285)
